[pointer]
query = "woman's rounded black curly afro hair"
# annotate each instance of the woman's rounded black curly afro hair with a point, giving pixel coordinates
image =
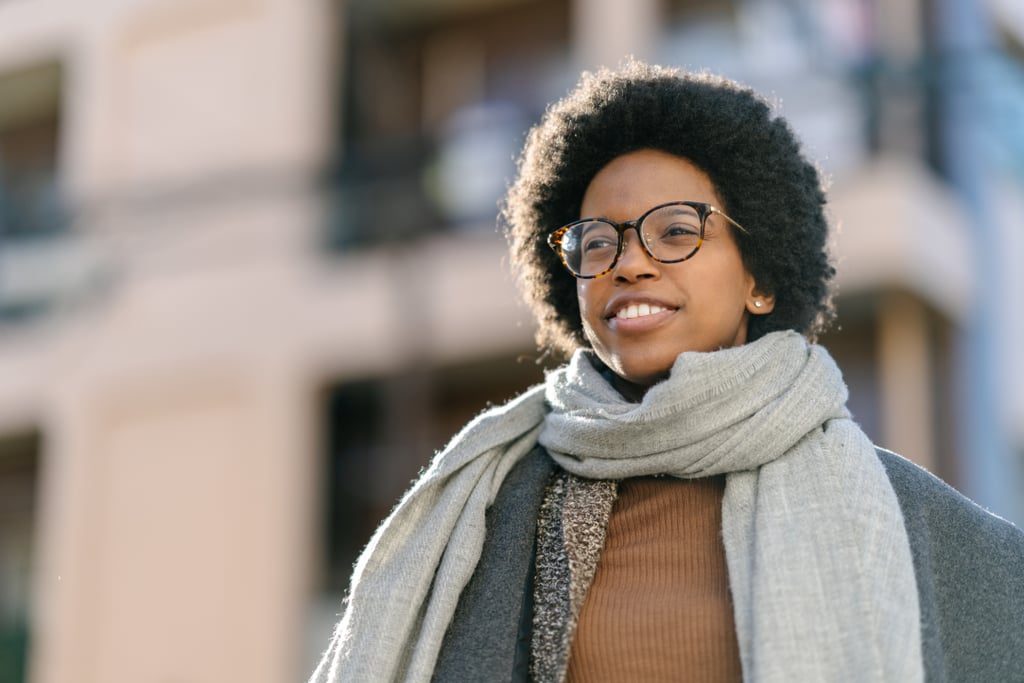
(751, 156)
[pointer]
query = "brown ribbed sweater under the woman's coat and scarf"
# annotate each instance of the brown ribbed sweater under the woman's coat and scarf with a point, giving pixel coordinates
(659, 609)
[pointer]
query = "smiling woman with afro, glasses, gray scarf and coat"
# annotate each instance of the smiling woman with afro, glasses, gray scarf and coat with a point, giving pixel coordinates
(688, 498)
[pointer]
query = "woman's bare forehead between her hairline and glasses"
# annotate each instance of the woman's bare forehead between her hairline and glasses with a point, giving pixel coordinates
(633, 183)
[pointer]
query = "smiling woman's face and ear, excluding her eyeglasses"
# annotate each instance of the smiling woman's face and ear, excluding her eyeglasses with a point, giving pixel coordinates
(701, 305)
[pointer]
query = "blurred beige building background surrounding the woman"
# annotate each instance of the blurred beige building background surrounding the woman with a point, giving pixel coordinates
(250, 280)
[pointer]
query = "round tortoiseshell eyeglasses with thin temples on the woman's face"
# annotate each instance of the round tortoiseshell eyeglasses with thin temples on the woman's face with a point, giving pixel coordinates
(670, 233)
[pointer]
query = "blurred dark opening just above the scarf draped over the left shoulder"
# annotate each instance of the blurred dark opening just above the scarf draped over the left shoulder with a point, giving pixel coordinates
(380, 433)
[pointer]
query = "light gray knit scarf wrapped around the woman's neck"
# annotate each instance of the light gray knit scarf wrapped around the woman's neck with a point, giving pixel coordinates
(820, 562)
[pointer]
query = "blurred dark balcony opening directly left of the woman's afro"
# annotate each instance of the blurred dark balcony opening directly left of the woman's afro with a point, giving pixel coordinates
(435, 106)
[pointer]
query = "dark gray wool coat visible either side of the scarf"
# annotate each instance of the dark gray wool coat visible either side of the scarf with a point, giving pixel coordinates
(969, 566)
